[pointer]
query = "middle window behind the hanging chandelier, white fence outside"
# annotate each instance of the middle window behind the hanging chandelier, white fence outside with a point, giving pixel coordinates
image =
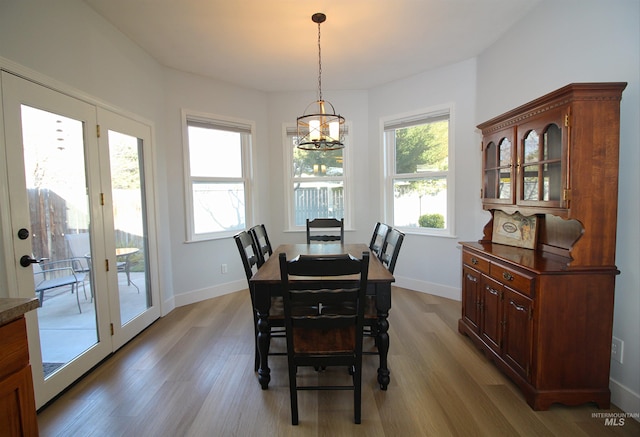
(316, 182)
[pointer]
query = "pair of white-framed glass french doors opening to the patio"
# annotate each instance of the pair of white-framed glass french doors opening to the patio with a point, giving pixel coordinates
(80, 238)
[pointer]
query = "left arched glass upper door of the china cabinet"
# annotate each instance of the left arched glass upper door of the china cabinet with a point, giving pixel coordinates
(498, 184)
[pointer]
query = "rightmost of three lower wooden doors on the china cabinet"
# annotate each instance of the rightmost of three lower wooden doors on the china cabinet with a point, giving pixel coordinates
(518, 313)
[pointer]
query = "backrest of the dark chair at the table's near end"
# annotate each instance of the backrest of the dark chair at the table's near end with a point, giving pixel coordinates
(324, 317)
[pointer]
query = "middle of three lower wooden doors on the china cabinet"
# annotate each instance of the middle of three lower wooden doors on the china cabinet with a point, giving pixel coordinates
(491, 326)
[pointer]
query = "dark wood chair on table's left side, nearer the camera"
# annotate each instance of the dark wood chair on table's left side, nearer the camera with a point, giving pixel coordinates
(249, 255)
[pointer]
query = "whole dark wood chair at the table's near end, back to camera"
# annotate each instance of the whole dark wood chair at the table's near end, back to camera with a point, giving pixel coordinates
(324, 323)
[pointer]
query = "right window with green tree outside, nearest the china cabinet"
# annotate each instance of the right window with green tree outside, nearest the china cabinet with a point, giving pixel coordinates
(418, 176)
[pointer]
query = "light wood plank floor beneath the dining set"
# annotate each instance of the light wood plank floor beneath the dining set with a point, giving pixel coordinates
(191, 374)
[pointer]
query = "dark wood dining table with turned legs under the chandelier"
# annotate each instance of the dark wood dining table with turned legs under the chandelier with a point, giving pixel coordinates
(266, 283)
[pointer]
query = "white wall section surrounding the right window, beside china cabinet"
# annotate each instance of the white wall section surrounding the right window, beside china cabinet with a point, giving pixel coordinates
(426, 263)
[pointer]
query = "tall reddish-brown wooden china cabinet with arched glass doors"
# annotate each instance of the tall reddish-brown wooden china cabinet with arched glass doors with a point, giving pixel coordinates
(544, 315)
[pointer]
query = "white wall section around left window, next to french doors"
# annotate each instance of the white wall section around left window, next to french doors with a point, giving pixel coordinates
(196, 266)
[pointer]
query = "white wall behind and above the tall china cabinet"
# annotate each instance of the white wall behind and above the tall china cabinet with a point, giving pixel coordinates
(566, 41)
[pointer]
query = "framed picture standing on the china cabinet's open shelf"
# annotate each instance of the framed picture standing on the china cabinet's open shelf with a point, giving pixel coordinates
(515, 229)
